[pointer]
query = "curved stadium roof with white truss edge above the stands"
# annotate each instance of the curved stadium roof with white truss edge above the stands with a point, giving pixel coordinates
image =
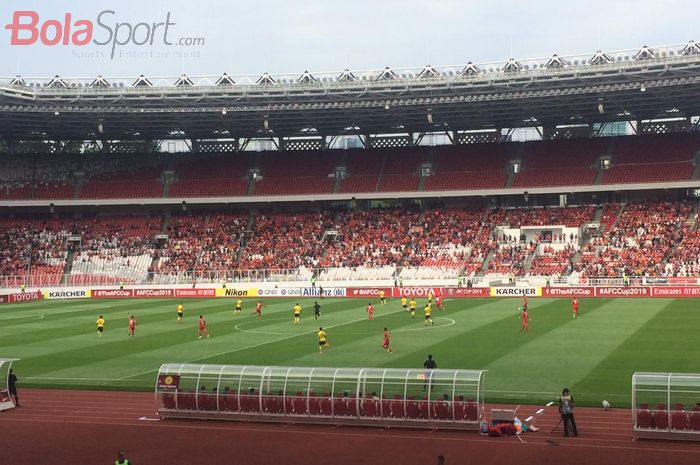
(642, 84)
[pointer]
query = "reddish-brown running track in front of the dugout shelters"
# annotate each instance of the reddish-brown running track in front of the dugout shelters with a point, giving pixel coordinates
(87, 427)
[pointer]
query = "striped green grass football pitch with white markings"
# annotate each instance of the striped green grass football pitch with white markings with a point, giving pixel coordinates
(595, 355)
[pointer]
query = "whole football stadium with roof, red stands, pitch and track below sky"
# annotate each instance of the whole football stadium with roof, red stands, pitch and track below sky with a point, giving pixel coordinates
(362, 266)
